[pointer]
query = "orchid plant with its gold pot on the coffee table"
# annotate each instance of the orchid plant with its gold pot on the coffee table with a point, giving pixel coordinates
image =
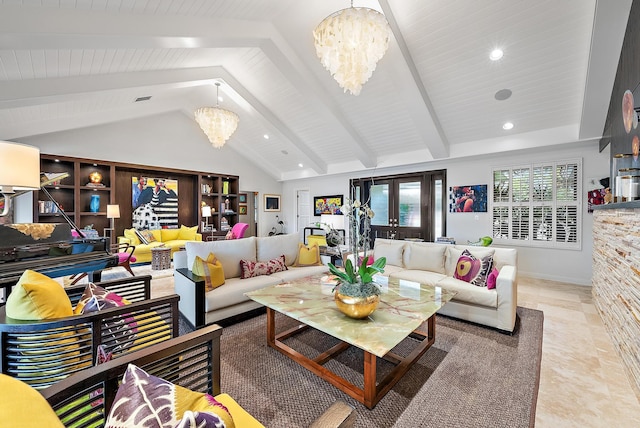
(356, 294)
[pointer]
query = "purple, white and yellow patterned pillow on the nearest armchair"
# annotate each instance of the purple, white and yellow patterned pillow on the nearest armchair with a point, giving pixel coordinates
(143, 400)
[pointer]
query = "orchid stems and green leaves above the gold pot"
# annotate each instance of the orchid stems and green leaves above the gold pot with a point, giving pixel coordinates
(357, 280)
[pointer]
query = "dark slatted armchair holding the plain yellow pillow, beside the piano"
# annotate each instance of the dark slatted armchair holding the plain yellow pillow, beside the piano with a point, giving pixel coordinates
(42, 353)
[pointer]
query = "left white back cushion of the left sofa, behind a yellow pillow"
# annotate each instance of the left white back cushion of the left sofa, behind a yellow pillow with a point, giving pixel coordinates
(228, 252)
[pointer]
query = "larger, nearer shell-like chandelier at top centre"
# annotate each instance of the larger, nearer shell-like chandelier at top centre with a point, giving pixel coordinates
(350, 43)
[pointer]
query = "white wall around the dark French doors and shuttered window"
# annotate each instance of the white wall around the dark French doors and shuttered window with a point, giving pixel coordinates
(572, 266)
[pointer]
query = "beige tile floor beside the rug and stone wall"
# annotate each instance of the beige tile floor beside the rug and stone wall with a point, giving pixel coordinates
(582, 380)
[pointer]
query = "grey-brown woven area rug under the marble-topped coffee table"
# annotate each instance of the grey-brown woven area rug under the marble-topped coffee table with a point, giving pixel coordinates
(471, 377)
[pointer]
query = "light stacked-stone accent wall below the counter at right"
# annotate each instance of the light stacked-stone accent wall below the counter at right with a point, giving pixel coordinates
(616, 281)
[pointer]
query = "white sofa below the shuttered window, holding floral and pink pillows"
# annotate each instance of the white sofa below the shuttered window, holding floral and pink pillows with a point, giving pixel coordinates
(435, 264)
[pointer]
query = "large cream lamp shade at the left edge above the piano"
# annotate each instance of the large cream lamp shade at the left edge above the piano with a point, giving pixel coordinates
(19, 167)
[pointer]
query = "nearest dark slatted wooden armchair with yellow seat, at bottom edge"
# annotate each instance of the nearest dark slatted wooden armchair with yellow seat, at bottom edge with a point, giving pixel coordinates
(191, 361)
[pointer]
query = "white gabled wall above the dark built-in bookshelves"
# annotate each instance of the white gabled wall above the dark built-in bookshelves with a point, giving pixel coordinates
(170, 140)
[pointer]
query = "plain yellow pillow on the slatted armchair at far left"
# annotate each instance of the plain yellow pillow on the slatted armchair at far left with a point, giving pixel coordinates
(37, 297)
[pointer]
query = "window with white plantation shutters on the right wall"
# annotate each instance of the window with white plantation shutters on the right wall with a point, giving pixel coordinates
(538, 205)
